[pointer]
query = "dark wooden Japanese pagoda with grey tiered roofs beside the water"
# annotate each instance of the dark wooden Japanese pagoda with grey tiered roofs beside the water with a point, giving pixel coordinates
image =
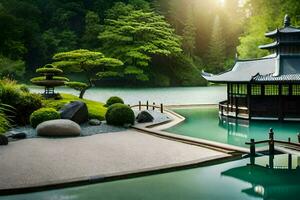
(267, 88)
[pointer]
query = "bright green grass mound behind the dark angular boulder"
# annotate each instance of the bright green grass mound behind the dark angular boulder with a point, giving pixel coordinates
(96, 109)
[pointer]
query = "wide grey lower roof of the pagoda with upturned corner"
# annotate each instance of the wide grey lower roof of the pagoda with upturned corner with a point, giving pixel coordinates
(267, 69)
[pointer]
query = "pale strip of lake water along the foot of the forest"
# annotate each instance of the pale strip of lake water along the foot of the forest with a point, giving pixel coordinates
(168, 96)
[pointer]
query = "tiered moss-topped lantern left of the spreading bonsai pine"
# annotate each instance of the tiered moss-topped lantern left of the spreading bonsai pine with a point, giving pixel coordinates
(49, 79)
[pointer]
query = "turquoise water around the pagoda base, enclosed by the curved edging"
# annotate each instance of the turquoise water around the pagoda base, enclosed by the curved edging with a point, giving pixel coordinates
(204, 123)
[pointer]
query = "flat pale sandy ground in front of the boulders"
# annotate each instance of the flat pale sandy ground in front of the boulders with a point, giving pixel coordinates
(40, 161)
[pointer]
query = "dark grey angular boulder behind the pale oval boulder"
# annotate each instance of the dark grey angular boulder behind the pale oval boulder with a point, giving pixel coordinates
(76, 111)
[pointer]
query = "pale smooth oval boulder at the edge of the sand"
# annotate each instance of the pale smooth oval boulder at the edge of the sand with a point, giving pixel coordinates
(58, 128)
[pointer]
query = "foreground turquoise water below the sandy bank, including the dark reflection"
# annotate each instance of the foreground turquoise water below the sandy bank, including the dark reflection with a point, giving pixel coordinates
(231, 180)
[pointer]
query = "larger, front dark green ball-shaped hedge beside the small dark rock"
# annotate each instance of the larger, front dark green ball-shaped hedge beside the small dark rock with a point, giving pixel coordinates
(119, 114)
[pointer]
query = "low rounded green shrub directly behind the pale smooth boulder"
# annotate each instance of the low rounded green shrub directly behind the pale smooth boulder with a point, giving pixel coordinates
(43, 114)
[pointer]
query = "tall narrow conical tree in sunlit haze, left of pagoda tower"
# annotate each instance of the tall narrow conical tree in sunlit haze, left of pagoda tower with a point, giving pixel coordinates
(216, 51)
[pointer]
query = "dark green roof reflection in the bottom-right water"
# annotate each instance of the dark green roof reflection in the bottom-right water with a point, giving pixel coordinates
(278, 179)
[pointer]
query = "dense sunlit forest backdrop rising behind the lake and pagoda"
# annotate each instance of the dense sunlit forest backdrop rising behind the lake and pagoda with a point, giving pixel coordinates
(32, 31)
